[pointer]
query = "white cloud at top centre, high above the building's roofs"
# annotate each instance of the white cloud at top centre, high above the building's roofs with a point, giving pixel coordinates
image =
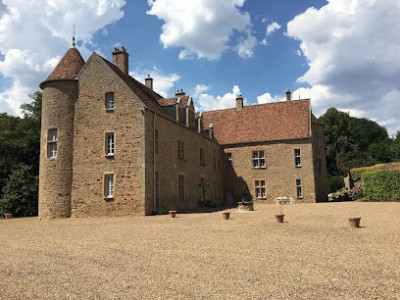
(203, 28)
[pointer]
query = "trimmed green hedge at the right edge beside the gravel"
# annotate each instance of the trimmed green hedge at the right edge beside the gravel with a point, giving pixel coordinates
(381, 185)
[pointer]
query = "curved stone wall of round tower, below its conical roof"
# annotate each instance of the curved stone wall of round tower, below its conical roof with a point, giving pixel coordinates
(55, 174)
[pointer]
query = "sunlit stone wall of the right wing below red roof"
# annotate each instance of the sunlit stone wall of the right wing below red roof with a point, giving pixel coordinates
(280, 173)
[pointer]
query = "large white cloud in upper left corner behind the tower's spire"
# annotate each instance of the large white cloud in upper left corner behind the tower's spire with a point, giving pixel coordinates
(33, 35)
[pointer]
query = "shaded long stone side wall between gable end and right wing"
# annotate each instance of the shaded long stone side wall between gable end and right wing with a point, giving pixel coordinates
(169, 167)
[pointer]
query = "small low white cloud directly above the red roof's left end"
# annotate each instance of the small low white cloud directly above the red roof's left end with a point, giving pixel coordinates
(207, 102)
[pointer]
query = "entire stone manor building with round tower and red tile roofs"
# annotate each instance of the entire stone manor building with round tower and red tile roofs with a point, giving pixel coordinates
(113, 146)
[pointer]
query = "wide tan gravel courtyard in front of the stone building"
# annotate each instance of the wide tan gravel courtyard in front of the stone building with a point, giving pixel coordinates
(313, 255)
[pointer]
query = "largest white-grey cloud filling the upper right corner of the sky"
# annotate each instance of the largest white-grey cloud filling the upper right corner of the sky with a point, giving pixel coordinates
(355, 58)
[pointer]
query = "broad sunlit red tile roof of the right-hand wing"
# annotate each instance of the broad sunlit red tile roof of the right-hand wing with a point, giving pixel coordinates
(264, 122)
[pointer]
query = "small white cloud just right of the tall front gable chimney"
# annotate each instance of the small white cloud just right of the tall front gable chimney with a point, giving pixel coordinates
(162, 83)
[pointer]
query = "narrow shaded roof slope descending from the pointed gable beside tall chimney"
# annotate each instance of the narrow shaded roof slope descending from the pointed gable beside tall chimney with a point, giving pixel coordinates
(149, 97)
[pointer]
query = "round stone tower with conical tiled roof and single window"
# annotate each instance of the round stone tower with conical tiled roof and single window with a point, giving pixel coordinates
(60, 91)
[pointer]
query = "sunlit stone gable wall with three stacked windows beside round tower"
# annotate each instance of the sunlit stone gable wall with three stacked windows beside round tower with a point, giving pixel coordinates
(92, 122)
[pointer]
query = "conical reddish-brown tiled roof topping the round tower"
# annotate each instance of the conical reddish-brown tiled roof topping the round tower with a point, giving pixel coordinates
(69, 65)
